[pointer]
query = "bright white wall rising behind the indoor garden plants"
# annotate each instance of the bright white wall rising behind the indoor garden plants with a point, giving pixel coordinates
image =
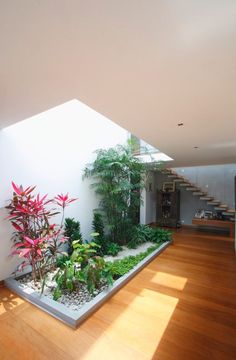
(50, 150)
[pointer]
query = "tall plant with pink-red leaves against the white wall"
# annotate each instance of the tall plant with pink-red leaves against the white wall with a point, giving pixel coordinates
(35, 238)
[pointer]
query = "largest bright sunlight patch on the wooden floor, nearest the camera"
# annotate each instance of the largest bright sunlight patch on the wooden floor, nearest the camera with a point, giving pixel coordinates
(146, 317)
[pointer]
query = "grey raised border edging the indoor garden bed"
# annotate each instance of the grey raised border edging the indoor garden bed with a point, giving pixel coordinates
(76, 317)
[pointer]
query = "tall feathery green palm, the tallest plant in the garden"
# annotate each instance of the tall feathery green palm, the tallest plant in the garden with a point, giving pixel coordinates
(118, 176)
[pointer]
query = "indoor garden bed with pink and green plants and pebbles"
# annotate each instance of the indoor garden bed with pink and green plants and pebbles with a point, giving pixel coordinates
(56, 260)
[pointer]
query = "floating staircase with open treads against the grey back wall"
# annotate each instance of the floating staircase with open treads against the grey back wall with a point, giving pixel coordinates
(197, 191)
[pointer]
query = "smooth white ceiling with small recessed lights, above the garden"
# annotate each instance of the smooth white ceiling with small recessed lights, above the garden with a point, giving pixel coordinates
(145, 64)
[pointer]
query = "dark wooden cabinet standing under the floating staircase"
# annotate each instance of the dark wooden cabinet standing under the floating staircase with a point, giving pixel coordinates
(168, 208)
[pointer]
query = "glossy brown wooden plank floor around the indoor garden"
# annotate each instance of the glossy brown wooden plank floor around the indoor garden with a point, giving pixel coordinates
(180, 307)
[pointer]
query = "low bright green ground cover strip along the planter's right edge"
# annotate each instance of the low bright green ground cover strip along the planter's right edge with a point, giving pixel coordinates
(122, 266)
